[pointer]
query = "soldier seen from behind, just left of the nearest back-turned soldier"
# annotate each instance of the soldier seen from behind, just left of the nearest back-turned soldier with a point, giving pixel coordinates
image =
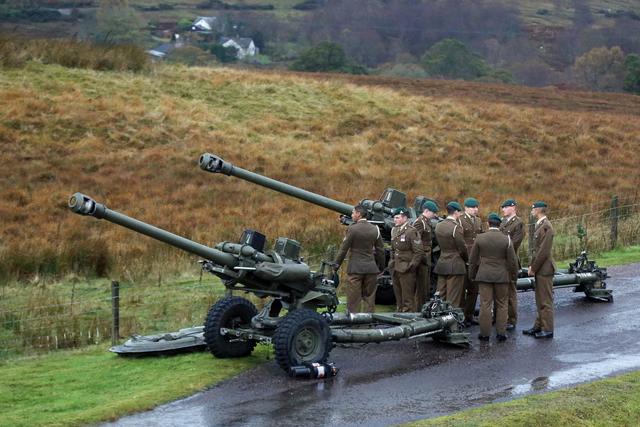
(451, 266)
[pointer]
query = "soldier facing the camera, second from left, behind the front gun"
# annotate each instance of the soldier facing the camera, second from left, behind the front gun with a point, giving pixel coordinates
(406, 255)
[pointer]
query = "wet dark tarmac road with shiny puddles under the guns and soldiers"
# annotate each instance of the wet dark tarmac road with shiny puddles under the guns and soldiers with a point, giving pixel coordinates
(394, 382)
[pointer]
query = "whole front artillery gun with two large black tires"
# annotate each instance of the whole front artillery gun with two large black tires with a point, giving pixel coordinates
(233, 325)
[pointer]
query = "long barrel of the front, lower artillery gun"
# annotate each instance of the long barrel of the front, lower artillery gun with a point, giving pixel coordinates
(85, 205)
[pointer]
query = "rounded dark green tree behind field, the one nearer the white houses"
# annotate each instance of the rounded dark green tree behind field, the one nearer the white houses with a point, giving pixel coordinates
(326, 57)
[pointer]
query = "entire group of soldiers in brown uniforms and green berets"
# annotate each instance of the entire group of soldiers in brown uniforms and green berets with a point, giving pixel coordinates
(476, 258)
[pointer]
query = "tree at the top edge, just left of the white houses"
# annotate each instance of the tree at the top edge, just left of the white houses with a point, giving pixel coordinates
(117, 22)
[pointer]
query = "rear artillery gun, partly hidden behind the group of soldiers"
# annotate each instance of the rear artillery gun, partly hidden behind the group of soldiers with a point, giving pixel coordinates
(583, 275)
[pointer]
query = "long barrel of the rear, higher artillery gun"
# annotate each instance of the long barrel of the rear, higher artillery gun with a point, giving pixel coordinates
(214, 164)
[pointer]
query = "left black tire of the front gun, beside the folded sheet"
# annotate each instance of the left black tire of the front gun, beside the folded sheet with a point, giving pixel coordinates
(229, 312)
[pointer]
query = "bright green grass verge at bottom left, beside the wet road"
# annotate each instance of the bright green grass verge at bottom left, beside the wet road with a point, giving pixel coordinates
(86, 386)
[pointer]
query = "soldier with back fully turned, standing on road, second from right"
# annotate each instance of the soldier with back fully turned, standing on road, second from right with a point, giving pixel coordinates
(493, 265)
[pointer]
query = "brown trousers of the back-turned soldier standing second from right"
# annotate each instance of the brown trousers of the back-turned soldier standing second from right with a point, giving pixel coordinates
(494, 297)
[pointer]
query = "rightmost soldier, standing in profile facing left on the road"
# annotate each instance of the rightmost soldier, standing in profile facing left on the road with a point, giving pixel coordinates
(543, 268)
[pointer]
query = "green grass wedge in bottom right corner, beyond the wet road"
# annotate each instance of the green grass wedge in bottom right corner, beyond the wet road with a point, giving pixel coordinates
(610, 402)
